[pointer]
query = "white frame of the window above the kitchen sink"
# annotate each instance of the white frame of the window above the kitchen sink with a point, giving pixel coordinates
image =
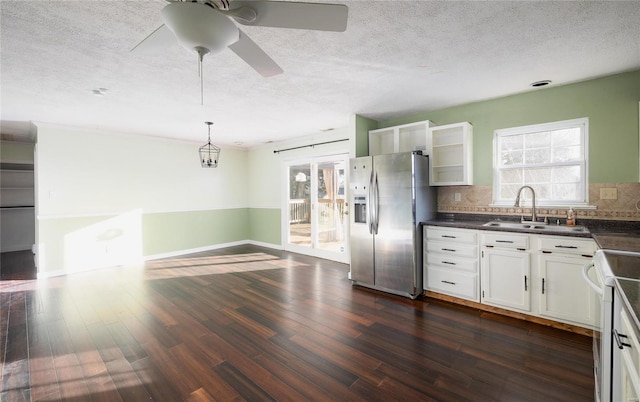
(583, 124)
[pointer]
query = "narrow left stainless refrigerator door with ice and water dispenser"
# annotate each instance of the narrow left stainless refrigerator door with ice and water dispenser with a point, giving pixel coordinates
(361, 237)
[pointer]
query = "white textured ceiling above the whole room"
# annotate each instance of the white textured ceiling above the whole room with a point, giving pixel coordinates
(396, 58)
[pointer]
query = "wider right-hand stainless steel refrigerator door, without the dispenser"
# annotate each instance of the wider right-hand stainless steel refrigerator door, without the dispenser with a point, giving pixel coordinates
(394, 241)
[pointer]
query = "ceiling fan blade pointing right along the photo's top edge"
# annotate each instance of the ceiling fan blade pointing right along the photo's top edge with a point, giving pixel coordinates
(285, 14)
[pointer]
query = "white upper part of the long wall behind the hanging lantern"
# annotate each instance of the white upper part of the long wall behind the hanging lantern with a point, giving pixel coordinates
(87, 173)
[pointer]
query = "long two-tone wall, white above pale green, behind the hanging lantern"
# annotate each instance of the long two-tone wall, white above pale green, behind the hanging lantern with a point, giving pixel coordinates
(108, 199)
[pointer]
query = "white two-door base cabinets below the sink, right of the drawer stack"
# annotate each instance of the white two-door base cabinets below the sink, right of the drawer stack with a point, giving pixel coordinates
(538, 275)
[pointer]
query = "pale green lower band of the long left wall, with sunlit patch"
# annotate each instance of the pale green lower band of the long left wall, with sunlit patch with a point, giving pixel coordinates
(79, 243)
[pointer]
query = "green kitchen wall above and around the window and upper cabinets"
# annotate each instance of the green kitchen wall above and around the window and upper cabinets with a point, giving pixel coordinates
(610, 103)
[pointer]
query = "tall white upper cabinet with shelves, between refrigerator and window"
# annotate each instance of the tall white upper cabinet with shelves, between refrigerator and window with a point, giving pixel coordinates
(451, 155)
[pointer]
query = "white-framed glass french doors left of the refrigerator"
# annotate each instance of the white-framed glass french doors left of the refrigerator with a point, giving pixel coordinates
(315, 220)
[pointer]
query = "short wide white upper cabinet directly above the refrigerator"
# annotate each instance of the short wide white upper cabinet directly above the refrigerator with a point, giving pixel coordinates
(403, 138)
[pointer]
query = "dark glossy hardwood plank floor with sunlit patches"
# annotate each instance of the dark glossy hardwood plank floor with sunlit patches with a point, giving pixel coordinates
(248, 323)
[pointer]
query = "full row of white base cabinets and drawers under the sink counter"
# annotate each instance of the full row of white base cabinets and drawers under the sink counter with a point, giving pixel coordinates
(538, 275)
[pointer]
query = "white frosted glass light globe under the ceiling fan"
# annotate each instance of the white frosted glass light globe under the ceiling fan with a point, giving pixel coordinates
(196, 26)
